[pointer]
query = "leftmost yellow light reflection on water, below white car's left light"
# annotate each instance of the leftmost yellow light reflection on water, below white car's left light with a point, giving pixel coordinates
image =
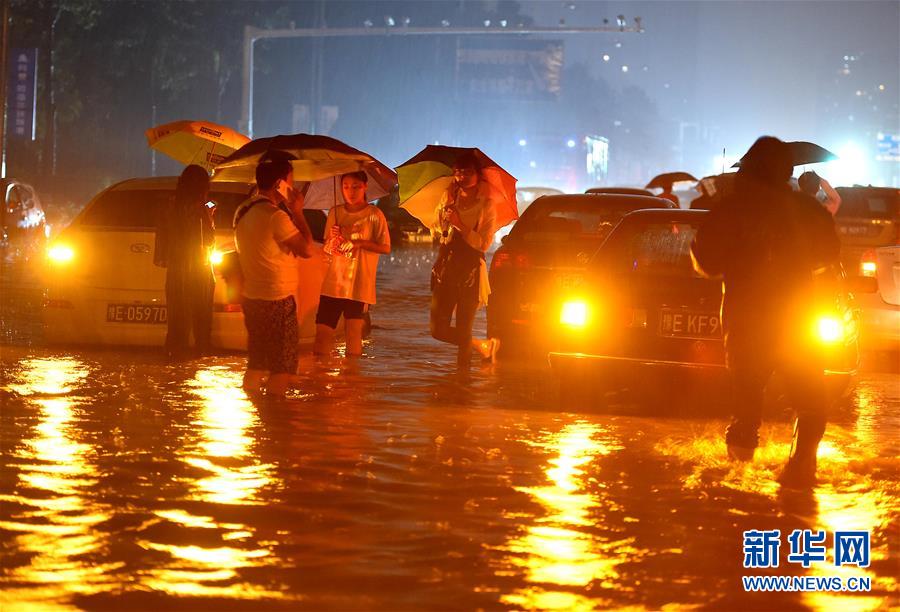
(57, 527)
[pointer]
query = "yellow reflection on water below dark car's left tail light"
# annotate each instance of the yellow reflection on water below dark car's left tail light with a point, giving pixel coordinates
(556, 550)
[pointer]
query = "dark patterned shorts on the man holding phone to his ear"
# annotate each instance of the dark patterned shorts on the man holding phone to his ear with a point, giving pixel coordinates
(273, 336)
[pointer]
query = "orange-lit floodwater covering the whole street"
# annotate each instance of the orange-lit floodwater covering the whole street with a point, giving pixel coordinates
(396, 482)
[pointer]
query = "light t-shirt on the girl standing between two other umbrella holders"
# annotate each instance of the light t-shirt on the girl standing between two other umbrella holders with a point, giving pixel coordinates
(353, 277)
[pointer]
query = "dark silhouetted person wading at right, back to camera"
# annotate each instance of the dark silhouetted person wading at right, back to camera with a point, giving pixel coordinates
(775, 250)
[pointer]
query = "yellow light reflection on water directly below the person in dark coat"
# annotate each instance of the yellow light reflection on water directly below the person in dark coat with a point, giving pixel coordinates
(231, 474)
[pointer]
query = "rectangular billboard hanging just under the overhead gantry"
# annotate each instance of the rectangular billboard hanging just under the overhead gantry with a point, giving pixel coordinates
(524, 70)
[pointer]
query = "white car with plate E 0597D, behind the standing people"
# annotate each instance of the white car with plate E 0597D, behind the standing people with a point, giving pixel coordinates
(102, 285)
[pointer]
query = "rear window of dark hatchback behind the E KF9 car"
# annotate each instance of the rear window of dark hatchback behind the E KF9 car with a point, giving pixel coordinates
(563, 221)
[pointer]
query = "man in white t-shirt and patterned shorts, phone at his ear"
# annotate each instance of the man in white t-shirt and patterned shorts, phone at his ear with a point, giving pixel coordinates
(270, 234)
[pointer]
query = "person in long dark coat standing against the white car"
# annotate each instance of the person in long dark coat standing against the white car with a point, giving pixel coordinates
(185, 236)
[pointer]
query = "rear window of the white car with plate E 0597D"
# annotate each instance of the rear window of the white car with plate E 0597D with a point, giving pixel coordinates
(138, 208)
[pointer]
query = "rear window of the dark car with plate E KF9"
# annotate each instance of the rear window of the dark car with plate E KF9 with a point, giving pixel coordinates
(660, 249)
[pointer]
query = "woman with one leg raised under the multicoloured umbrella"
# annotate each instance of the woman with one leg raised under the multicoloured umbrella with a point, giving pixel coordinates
(465, 220)
